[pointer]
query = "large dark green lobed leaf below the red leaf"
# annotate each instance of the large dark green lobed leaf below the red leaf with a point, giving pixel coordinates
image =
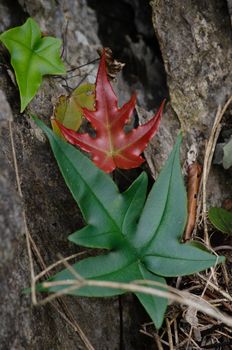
(143, 239)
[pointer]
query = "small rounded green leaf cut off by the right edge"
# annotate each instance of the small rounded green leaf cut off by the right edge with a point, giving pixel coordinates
(221, 219)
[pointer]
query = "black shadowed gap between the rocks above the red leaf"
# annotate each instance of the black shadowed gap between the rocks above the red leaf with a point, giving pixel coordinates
(126, 27)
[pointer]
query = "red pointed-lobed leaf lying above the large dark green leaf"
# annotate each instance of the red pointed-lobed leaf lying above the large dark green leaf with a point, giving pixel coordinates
(112, 147)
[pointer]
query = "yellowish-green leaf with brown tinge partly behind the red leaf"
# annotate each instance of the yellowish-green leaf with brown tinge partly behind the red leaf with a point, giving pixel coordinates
(69, 109)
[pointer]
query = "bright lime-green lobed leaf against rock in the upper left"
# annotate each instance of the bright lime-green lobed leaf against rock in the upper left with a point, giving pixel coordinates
(32, 57)
